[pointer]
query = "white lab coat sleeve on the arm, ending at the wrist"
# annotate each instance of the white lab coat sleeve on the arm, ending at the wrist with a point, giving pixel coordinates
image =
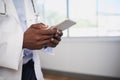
(11, 39)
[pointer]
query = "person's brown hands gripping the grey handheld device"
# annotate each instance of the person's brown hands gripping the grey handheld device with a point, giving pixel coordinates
(37, 37)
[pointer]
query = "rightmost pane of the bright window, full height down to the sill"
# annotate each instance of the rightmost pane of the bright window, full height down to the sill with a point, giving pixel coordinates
(109, 17)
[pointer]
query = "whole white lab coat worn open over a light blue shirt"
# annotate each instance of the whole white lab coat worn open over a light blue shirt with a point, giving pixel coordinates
(11, 40)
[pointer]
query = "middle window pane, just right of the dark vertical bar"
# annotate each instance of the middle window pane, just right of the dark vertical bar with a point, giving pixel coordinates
(84, 13)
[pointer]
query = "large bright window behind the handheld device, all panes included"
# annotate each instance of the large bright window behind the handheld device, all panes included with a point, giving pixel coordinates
(93, 17)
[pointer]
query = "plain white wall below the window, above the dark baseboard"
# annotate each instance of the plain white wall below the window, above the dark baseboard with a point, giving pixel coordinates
(85, 55)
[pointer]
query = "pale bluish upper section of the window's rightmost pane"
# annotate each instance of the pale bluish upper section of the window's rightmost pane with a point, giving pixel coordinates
(109, 6)
